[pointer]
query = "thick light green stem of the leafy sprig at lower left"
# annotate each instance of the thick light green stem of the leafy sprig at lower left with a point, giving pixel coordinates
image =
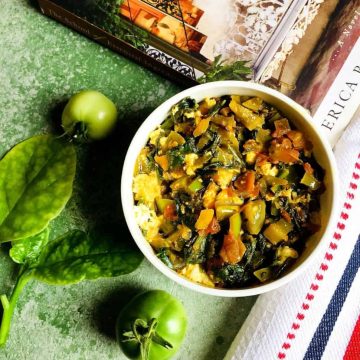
(9, 306)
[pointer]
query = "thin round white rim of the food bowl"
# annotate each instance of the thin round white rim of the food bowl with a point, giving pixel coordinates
(141, 136)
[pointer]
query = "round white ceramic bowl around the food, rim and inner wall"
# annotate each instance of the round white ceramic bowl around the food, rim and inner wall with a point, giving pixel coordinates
(298, 116)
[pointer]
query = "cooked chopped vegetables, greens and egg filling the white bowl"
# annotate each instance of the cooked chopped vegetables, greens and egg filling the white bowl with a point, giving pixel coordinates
(236, 195)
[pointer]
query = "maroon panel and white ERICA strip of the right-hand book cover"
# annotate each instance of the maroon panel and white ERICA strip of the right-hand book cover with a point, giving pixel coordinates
(329, 85)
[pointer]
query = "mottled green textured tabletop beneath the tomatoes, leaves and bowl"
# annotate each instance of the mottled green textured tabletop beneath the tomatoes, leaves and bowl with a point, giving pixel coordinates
(41, 64)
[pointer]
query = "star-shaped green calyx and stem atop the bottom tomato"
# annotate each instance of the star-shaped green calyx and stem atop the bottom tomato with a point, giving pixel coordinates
(144, 333)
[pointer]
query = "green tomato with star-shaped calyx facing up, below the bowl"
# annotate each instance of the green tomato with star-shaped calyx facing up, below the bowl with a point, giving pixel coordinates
(151, 326)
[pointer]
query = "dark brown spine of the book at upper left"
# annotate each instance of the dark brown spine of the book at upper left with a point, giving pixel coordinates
(82, 26)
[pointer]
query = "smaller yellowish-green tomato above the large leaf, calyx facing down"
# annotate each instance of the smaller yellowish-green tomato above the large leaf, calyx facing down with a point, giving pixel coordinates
(89, 114)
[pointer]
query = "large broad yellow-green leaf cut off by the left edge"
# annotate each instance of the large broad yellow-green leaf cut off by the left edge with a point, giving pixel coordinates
(36, 179)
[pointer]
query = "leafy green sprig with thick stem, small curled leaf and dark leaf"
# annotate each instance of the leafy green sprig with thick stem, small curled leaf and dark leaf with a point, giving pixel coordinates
(74, 257)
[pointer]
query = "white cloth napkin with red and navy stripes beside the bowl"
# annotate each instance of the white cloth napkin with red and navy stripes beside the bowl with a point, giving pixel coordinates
(316, 316)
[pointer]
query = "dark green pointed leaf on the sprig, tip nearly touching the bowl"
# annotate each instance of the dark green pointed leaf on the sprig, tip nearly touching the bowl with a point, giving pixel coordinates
(77, 256)
